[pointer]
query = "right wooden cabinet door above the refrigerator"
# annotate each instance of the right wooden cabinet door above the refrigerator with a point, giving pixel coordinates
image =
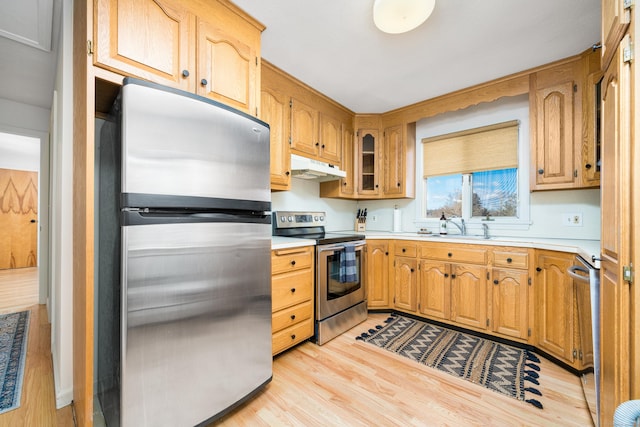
(227, 66)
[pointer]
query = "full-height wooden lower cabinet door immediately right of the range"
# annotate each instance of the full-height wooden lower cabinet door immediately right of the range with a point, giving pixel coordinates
(377, 274)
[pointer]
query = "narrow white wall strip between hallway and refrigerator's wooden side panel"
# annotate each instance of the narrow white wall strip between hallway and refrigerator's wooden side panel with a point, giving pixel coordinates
(61, 303)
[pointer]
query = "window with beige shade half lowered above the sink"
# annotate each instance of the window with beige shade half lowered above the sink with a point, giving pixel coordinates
(473, 173)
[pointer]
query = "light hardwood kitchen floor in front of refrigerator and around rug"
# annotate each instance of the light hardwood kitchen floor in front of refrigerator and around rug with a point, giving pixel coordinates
(351, 383)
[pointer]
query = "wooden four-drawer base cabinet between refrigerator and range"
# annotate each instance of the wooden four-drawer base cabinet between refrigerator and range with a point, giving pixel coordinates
(292, 297)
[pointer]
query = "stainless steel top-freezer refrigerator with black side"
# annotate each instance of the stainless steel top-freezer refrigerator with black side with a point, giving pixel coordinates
(184, 267)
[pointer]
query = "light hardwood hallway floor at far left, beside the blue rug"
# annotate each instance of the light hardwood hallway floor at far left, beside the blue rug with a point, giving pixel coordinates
(19, 291)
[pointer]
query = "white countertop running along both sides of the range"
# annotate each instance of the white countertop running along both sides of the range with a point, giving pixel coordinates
(585, 248)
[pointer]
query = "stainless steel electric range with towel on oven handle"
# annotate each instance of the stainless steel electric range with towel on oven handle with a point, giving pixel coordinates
(340, 295)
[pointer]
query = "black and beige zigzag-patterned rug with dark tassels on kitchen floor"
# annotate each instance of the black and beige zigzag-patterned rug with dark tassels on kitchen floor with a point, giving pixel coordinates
(498, 367)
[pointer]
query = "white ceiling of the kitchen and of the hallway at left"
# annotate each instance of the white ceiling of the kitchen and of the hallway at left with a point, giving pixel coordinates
(333, 46)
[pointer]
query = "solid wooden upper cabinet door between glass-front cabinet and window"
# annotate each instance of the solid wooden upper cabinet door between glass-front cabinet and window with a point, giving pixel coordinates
(393, 170)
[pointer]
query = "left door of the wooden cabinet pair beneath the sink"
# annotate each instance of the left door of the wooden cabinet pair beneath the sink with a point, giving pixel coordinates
(435, 289)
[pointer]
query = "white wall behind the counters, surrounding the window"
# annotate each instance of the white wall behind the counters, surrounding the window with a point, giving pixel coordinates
(546, 208)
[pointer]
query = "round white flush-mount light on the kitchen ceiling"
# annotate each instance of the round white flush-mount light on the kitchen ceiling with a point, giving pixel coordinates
(400, 16)
